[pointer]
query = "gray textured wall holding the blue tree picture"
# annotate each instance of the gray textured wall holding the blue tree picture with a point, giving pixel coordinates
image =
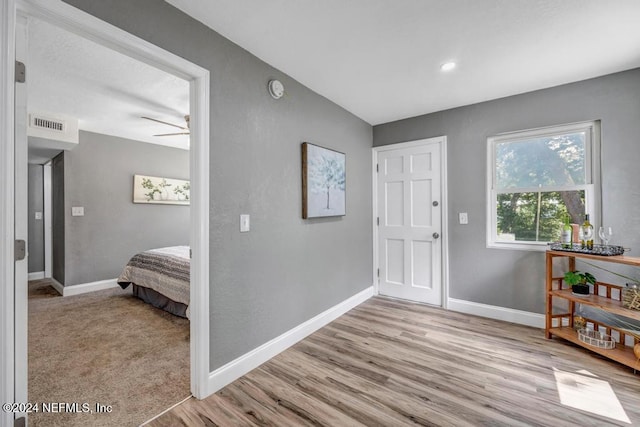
(286, 270)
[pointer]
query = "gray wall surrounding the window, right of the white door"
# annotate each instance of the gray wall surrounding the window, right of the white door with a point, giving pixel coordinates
(515, 279)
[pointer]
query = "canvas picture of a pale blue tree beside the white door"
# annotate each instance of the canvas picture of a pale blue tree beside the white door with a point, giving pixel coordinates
(323, 182)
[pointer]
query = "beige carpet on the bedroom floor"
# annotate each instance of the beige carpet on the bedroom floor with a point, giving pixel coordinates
(105, 348)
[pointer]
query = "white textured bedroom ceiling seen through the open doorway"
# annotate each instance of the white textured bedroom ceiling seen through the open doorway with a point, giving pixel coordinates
(106, 91)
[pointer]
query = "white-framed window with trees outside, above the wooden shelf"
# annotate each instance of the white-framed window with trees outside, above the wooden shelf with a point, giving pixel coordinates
(536, 178)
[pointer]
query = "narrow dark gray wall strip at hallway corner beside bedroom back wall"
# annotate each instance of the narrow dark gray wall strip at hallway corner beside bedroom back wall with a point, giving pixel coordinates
(57, 218)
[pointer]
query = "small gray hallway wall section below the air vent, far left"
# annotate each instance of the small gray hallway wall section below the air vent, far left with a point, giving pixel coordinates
(36, 226)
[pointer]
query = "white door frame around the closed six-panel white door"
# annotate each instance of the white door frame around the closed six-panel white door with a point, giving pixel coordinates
(442, 140)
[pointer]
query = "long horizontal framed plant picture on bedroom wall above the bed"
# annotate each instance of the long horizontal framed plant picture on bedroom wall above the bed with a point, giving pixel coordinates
(168, 191)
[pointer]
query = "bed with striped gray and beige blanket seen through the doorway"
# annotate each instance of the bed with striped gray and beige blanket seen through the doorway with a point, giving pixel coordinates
(161, 278)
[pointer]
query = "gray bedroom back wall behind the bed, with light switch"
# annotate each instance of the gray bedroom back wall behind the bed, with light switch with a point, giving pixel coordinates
(99, 177)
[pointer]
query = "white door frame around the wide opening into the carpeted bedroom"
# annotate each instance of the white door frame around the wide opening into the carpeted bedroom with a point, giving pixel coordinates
(90, 27)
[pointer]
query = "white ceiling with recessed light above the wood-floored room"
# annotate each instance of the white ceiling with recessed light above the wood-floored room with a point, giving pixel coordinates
(380, 59)
